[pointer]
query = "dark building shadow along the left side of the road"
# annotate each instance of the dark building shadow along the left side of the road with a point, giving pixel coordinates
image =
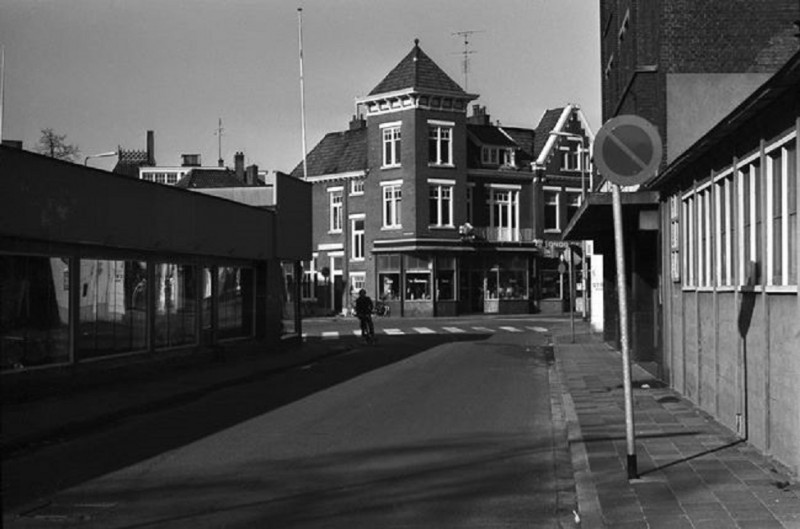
(82, 454)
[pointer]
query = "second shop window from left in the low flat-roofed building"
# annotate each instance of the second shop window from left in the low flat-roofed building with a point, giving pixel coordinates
(112, 307)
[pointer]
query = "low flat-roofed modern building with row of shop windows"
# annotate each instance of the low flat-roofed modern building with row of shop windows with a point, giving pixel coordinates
(97, 265)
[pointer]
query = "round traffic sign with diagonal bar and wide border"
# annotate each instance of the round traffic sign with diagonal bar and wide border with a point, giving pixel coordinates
(627, 150)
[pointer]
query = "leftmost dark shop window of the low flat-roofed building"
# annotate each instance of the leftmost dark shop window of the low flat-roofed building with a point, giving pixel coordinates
(34, 311)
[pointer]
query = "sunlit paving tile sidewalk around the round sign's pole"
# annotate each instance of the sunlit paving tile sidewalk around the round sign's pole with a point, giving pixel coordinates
(693, 472)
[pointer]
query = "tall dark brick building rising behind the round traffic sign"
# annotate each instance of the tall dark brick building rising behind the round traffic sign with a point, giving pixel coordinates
(685, 64)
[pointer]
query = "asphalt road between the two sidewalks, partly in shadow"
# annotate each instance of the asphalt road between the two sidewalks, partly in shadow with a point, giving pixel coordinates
(417, 431)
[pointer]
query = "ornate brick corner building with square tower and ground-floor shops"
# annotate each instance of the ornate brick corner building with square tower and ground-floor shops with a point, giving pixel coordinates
(438, 213)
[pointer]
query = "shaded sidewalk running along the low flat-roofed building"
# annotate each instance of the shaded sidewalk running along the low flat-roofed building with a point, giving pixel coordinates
(74, 412)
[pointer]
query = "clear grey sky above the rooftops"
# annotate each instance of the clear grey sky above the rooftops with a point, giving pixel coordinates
(103, 72)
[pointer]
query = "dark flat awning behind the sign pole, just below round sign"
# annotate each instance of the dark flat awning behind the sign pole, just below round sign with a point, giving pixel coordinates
(595, 217)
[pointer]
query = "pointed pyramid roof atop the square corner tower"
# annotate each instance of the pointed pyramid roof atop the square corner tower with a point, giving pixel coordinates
(419, 72)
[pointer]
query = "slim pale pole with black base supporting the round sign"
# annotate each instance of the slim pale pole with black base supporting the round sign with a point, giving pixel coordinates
(622, 292)
